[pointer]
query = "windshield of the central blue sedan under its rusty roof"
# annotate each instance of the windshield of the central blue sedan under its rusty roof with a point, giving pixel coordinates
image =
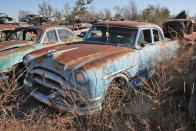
(112, 35)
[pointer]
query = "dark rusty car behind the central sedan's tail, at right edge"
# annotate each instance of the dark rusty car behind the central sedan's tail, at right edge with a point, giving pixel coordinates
(180, 28)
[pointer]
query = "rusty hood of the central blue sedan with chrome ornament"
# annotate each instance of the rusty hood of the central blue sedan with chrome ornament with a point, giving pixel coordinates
(78, 55)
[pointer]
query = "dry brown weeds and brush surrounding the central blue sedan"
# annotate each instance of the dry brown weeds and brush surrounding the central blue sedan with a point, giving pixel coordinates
(165, 90)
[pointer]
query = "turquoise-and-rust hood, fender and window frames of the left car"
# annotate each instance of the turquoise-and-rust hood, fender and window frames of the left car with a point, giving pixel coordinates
(14, 53)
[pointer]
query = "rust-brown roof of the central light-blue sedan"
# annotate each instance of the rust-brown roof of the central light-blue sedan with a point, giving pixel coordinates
(128, 23)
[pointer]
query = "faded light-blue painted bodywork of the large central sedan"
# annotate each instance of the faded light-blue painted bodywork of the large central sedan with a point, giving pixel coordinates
(140, 61)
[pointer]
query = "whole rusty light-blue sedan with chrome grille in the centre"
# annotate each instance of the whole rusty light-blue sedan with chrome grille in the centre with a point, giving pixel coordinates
(76, 77)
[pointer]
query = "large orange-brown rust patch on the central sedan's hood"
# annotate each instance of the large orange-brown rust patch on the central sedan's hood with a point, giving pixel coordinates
(87, 52)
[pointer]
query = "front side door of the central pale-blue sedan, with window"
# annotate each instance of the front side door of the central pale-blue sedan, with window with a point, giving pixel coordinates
(147, 52)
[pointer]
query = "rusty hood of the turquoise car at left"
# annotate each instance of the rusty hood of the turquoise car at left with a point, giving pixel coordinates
(13, 44)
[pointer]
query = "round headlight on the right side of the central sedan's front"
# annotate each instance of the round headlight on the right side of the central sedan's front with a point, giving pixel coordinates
(81, 77)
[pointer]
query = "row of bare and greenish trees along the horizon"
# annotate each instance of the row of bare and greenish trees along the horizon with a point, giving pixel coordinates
(82, 9)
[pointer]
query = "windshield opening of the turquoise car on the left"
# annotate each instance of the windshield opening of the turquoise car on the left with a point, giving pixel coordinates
(25, 34)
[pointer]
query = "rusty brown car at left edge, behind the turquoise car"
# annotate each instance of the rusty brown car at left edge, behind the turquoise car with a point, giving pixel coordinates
(5, 30)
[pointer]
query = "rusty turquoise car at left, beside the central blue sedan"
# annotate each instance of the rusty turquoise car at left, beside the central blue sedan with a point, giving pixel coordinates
(27, 39)
